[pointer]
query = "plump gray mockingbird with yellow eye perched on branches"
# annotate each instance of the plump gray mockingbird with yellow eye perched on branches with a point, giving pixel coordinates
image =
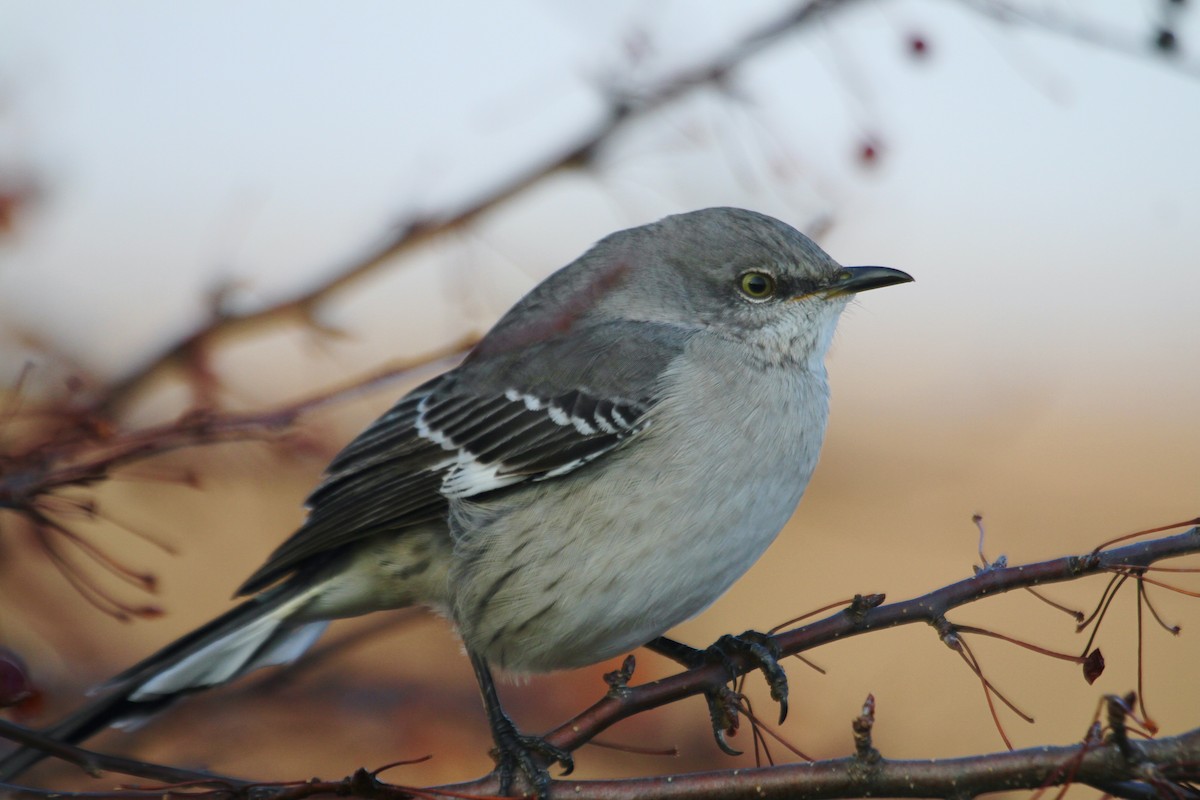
(617, 452)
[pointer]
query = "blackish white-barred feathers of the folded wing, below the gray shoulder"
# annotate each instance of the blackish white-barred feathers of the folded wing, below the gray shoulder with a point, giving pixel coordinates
(442, 443)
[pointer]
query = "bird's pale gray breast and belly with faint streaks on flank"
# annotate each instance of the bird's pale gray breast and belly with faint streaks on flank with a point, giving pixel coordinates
(574, 572)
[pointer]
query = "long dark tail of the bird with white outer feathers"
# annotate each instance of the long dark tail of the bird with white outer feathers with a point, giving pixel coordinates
(261, 633)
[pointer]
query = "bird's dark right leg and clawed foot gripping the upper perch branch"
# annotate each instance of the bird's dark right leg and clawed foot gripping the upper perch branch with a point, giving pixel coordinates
(760, 648)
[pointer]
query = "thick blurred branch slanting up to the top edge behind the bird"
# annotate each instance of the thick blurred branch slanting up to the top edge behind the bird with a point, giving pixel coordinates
(577, 152)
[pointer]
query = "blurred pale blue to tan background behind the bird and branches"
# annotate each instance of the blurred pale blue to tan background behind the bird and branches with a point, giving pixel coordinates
(1034, 165)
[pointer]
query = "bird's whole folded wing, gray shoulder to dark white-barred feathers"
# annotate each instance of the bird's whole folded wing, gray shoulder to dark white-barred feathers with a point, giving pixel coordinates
(476, 431)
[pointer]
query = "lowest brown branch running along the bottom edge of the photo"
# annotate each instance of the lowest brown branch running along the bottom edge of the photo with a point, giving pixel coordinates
(1101, 766)
